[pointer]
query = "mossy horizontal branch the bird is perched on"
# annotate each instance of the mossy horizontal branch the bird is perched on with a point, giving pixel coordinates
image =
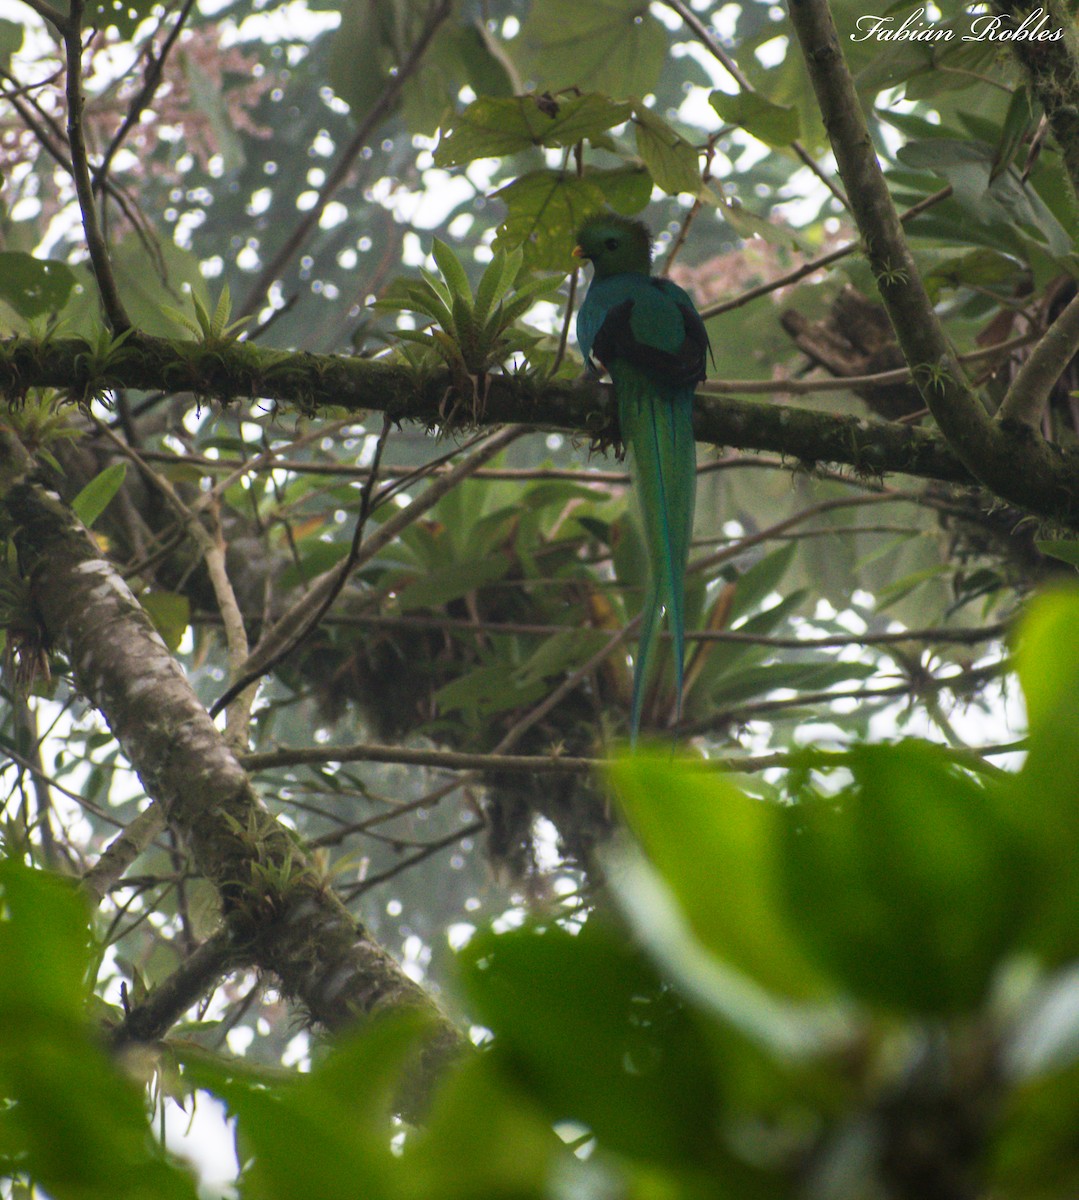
(308, 382)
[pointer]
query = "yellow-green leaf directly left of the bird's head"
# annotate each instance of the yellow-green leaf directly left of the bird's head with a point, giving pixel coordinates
(546, 209)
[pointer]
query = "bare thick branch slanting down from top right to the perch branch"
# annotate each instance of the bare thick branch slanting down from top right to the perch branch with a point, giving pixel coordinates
(1014, 463)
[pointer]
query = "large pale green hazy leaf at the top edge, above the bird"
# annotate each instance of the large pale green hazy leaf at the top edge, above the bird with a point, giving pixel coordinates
(607, 46)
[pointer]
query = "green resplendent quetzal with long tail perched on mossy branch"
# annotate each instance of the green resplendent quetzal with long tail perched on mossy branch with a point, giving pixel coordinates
(651, 339)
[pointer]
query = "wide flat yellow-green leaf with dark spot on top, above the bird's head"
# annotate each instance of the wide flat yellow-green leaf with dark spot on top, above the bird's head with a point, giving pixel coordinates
(493, 128)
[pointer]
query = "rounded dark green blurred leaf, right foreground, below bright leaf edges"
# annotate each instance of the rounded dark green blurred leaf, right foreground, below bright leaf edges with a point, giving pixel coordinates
(909, 886)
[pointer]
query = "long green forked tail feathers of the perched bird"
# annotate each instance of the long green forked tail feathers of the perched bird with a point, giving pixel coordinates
(657, 423)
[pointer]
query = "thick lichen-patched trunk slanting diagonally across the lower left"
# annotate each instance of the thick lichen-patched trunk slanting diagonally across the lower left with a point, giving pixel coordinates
(279, 911)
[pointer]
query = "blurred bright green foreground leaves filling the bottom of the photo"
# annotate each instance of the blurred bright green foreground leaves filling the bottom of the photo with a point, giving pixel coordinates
(894, 943)
